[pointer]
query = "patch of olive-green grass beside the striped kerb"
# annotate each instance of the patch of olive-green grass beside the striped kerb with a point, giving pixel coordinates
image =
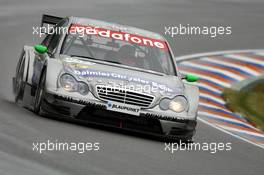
(248, 103)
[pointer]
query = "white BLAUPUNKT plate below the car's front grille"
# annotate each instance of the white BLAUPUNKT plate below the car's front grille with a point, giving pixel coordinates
(124, 108)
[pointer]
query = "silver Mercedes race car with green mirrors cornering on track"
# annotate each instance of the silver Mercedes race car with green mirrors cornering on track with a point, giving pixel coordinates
(109, 74)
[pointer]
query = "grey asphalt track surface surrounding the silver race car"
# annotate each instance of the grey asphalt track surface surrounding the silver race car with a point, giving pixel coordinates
(122, 153)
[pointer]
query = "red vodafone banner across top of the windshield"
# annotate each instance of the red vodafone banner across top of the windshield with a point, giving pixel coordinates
(118, 35)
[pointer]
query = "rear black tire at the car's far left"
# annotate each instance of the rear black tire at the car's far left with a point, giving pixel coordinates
(19, 85)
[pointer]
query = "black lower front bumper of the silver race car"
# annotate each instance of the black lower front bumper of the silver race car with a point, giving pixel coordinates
(95, 111)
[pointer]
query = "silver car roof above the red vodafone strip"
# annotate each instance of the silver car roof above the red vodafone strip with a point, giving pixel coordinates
(116, 27)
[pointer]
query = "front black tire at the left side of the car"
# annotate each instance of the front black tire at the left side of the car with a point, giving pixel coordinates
(40, 92)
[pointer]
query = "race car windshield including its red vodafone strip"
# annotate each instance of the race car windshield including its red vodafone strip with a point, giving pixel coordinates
(118, 47)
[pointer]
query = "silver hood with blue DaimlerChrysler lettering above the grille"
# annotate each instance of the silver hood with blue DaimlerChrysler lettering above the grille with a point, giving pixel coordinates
(109, 74)
